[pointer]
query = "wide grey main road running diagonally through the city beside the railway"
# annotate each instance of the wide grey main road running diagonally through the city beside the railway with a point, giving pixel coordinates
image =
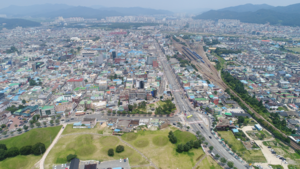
(184, 106)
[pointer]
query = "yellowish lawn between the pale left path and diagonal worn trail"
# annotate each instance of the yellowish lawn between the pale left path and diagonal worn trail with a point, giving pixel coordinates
(90, 147)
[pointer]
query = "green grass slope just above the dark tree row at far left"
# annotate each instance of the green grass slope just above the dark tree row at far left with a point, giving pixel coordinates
(32, 137)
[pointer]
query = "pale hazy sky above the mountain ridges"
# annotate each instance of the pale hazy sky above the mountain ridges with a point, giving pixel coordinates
(156, 4)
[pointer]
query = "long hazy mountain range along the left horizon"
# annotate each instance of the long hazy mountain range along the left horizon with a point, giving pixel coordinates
(55, 10)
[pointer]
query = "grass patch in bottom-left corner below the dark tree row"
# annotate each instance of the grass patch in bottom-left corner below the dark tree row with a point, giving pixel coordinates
(20, 162)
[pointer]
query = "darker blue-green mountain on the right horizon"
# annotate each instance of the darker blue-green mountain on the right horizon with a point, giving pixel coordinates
(249, 13)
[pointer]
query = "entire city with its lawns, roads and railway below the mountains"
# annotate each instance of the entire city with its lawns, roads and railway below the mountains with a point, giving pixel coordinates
(149, 92)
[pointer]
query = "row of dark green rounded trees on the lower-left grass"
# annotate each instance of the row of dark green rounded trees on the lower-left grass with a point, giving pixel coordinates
(37, 149)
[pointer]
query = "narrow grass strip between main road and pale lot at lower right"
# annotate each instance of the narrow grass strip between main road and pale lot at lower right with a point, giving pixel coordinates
(237, 146)
